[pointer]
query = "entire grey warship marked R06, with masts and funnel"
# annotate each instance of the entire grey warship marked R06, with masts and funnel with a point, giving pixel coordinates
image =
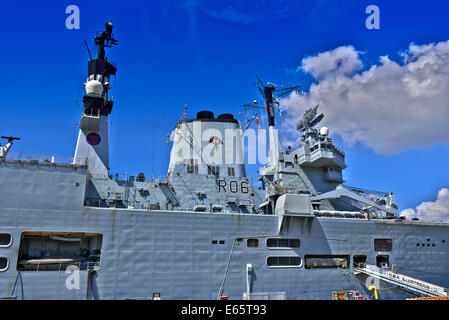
(71, 230)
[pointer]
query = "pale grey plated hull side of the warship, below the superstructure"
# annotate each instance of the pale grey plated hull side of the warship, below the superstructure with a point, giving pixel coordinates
(197, 255)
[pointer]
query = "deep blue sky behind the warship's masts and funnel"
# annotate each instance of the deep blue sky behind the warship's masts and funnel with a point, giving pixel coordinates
(204, 54)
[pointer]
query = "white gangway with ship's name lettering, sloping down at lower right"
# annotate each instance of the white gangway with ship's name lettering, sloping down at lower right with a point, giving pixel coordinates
(403, 281)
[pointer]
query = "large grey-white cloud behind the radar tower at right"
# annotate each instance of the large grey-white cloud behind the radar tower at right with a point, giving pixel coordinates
(388, 106)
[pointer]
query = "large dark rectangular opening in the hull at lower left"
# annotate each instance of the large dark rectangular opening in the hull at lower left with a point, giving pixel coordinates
(55, 251)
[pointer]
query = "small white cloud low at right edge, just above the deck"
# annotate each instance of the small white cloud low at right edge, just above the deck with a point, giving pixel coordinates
(437, 210)
